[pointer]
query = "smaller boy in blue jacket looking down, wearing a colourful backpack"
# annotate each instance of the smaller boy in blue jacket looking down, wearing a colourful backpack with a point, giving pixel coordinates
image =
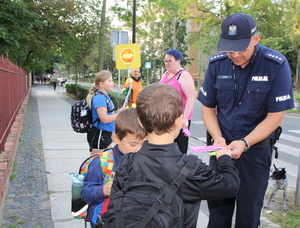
(128, 137)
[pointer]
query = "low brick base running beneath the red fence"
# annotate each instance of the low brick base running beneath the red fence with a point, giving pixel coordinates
(7, 157)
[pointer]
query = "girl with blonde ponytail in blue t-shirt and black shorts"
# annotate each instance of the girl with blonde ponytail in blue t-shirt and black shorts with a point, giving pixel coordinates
(99, 136)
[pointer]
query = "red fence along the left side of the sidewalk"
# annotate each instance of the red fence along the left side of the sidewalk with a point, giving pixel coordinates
(14, 85)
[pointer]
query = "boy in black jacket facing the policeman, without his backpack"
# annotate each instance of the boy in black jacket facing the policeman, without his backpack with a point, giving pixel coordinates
(159, 109)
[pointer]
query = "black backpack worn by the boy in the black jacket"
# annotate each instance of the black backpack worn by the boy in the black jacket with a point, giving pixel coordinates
(147, 204)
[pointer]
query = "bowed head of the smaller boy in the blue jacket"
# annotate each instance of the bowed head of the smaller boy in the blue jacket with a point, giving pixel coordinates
(129, 135)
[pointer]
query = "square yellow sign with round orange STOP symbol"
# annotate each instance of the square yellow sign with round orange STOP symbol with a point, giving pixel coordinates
(127, 56)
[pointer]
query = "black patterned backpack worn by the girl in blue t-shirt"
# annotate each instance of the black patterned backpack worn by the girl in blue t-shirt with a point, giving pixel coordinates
(81, 114)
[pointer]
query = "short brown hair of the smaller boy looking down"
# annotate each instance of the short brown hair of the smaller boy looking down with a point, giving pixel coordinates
(127, 123)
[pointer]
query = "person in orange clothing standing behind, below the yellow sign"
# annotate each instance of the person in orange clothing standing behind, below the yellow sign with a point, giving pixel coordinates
(136, 86)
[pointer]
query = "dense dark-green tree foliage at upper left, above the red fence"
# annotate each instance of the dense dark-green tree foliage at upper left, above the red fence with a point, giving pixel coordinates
(33, 31)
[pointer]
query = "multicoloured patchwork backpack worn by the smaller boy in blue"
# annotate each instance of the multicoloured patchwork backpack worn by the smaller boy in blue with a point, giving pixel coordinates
(79, 208)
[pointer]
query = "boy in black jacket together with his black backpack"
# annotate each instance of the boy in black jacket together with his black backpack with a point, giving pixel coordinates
(183, 180)
